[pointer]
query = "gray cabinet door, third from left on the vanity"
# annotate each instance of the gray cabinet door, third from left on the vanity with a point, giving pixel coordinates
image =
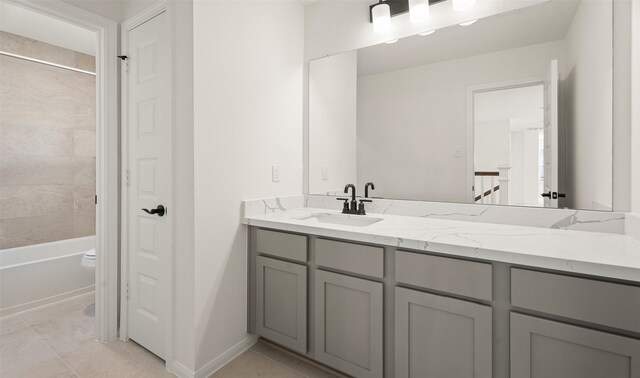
(438, 336)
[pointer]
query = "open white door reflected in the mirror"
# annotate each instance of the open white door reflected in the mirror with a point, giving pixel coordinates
(551, 136)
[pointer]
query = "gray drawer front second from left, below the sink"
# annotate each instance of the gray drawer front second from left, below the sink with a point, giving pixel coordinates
(350, 257)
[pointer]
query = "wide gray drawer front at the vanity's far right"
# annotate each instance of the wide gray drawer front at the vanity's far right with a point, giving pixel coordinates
(605, 303)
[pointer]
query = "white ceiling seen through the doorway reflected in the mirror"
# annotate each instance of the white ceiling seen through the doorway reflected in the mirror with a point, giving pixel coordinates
(522, 106)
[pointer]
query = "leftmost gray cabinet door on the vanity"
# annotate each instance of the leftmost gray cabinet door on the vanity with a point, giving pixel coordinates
(281, 302)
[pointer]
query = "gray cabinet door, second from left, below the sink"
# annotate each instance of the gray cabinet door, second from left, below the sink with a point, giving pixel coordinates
(348, 324)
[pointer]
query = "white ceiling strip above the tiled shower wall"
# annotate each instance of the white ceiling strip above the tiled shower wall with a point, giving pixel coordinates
(21, 21)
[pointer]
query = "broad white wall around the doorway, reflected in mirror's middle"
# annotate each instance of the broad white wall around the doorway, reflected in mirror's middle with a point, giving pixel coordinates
(411, 121)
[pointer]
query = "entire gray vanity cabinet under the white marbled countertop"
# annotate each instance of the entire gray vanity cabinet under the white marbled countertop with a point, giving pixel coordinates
(380, 311)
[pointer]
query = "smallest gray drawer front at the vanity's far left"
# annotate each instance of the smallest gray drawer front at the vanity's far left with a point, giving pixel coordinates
(288, 246)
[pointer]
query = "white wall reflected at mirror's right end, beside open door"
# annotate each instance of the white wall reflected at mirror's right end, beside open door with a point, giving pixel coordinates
(588, 90)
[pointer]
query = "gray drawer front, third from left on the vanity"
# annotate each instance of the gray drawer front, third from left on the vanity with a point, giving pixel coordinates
(461, 277)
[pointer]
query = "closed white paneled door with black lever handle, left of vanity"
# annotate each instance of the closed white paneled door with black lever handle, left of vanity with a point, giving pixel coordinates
(149, 157)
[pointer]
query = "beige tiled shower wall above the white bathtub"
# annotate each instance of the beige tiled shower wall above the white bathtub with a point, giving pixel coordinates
(47, 144)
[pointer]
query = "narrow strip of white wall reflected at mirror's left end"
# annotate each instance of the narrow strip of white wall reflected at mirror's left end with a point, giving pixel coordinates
(332, 122)
